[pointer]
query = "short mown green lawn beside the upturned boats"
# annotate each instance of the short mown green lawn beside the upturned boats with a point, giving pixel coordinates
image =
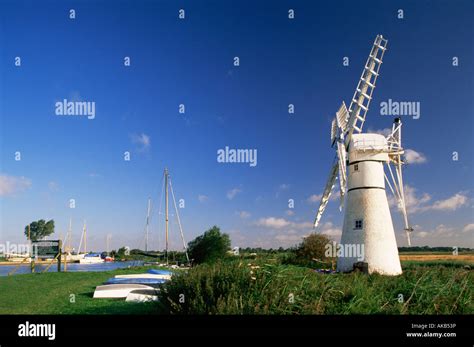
(50, 293)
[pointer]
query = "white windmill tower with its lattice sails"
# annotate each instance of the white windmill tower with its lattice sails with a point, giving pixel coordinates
(367, 219)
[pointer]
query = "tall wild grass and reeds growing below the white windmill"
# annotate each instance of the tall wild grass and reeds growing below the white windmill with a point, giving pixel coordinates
(285, 289)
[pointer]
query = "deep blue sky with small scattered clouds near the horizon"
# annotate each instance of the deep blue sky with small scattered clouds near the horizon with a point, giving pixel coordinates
(190, 62)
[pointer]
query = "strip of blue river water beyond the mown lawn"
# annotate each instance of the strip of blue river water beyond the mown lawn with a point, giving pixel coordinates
(71, 267)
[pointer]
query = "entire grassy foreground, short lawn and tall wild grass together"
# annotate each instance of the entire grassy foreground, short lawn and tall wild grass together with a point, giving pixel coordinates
(263, 287)
